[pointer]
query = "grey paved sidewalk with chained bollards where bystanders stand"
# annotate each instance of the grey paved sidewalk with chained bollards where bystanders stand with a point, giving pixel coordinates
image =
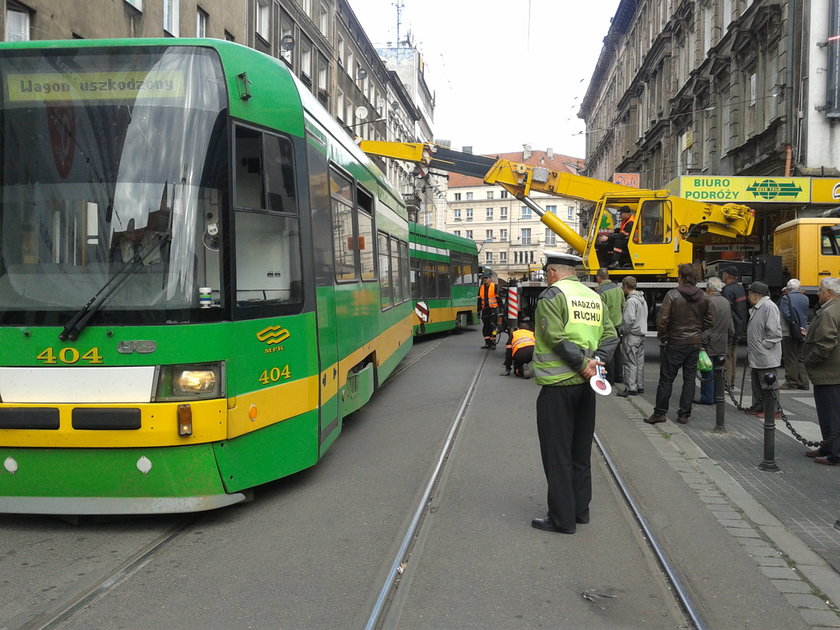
(792, 510)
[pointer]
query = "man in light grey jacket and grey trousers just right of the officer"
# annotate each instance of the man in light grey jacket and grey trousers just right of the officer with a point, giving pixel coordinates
(632, 333)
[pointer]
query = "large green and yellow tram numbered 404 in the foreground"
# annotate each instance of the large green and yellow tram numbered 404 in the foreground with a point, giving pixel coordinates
(200, 276)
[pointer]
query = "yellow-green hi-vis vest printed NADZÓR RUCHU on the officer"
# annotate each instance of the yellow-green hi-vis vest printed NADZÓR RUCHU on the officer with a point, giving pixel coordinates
(584, 326)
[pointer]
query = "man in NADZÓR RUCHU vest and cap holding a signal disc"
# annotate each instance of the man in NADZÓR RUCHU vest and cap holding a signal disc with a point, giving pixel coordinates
(573, 337)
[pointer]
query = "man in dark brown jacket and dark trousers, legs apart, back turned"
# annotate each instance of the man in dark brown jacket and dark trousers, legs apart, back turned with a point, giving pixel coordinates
(683, 316)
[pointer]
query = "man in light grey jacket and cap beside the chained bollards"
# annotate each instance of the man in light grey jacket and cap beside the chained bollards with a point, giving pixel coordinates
(764, 343)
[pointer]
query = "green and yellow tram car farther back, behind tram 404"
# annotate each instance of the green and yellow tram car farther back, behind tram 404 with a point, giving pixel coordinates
(444, 280)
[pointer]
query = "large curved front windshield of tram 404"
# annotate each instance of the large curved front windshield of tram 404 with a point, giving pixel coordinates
(114, 164)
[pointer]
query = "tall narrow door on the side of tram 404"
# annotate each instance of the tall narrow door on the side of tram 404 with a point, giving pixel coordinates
(325, 288)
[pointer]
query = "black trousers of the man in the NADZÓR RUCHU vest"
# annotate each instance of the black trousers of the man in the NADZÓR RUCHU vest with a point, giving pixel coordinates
(566, 426)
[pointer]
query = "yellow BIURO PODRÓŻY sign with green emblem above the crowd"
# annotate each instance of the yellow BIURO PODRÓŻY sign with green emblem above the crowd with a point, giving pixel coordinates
(746, 189)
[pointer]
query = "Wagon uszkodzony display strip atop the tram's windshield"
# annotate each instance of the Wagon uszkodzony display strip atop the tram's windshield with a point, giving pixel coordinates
(55, 87)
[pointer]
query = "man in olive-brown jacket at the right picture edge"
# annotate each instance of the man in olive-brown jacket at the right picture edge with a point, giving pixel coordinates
(822, 360)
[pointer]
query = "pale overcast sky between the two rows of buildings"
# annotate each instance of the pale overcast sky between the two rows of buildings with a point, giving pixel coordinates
(504, 72)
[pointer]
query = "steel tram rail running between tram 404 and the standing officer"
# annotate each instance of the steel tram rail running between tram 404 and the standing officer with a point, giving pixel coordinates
(393, 574)
